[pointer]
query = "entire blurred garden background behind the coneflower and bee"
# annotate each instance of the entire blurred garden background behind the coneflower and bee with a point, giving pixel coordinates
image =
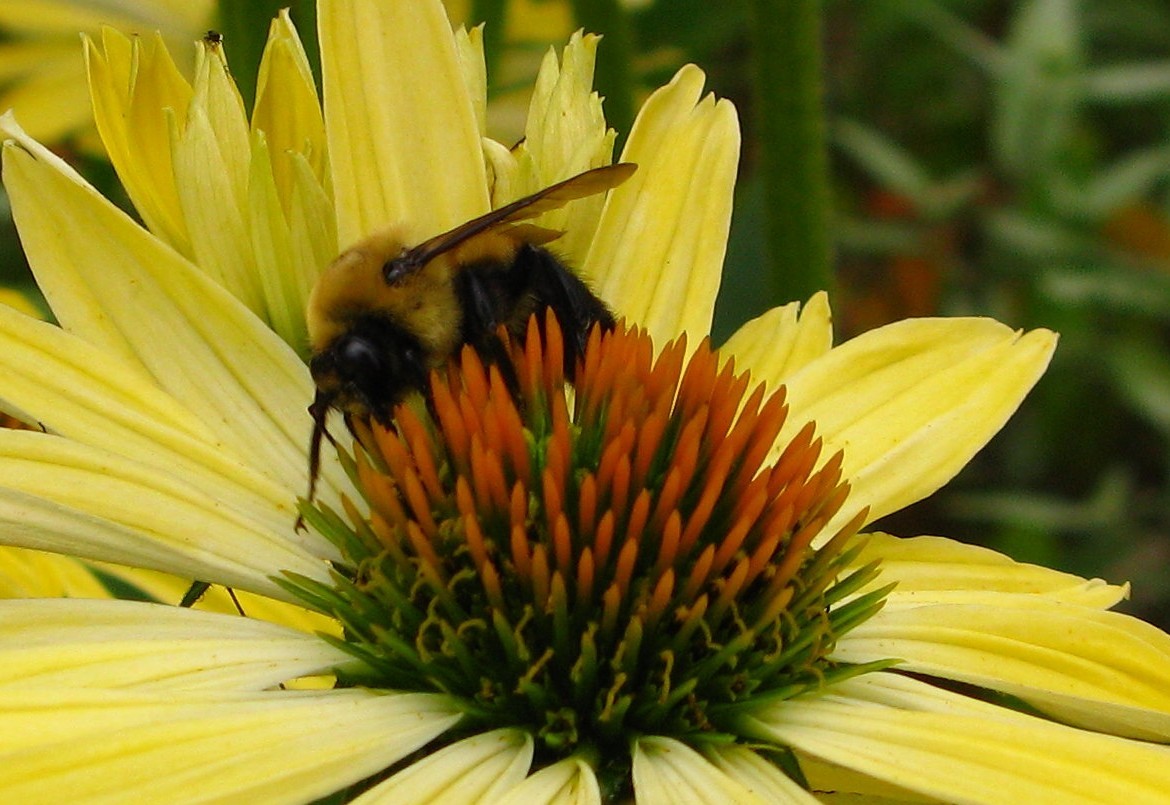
(1008, 159)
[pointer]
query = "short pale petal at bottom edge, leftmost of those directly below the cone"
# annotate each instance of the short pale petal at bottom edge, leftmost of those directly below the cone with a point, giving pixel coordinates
(474, 770)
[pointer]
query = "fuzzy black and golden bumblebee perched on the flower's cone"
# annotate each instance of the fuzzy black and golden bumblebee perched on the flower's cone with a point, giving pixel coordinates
(384, 314)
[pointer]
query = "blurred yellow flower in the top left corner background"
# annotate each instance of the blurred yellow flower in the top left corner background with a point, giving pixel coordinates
(40, 72)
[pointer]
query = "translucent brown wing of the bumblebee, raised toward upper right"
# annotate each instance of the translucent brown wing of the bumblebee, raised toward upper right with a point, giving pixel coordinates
(558, 196)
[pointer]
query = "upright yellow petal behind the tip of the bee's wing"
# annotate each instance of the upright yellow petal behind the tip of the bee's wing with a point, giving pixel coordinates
(658, 253)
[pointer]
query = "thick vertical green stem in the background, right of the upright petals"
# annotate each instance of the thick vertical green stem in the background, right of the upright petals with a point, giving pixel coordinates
(790, 120)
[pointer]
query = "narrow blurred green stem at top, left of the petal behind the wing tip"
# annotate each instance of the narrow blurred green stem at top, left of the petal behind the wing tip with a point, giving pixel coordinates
(614, 78)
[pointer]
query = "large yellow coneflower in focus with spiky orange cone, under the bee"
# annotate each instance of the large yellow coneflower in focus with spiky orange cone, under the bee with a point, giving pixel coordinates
(174, 402)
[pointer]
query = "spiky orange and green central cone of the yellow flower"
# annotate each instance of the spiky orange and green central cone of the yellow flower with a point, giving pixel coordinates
(595, 563)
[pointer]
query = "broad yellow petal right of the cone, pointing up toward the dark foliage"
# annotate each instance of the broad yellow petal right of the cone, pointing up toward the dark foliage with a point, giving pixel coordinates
(911, 403)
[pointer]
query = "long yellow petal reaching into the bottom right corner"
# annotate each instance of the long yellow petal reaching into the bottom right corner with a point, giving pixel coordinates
(959, 749)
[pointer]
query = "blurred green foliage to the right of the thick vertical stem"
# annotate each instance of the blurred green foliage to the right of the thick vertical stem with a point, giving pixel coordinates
(1011, 160)
